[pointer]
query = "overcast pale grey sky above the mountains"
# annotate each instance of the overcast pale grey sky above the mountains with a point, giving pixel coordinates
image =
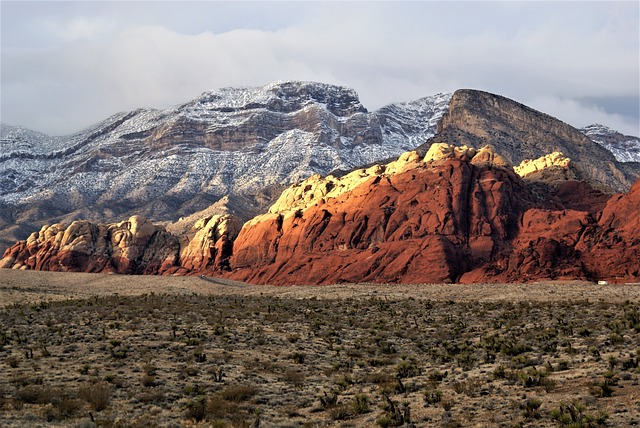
(67, 65)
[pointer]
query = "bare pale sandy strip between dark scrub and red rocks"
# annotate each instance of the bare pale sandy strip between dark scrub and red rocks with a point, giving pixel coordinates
(31, 287)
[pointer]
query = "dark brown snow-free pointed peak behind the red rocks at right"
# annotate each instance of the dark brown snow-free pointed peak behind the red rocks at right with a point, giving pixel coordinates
(517, 132)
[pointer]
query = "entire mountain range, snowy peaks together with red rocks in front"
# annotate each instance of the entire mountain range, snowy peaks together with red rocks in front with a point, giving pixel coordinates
(462, 187)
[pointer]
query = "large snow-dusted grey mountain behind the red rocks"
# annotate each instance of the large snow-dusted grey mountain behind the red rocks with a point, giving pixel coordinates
(233, 142)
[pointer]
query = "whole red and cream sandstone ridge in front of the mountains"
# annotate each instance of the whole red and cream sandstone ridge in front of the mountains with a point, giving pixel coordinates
(457, 214)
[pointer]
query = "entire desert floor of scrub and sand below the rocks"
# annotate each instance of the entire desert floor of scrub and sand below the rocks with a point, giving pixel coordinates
(116, 351)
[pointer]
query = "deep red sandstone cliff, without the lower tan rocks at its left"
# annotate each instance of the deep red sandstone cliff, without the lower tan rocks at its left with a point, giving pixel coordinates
(461, 216)
